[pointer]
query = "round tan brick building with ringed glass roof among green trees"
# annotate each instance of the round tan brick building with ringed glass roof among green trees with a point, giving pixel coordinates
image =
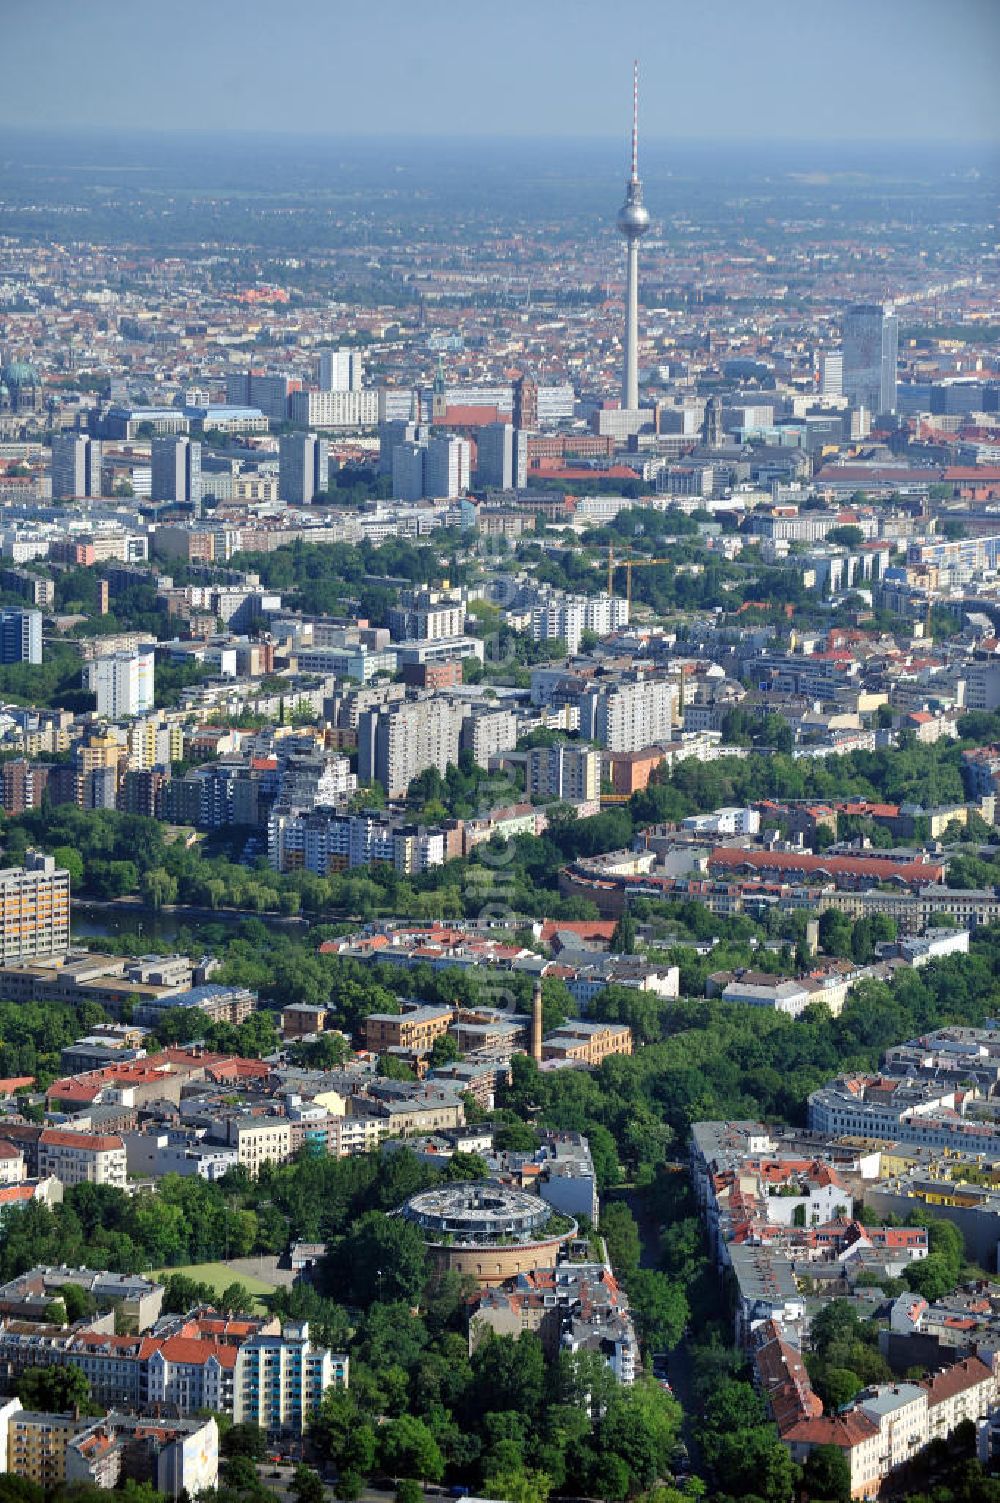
(486, 1230)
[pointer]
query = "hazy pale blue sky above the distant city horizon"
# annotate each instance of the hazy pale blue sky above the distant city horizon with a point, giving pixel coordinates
(835, 70)
